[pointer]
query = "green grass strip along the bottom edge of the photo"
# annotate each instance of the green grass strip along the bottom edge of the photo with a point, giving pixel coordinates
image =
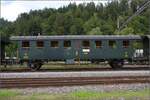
(6, 94)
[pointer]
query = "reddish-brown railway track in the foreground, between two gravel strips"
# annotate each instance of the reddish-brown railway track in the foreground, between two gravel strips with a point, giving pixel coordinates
(70, 81)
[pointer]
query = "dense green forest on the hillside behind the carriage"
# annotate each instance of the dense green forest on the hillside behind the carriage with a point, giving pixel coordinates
(80, 19)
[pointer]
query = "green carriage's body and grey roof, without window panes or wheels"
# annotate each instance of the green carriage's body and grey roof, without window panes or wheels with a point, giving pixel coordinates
(76, 51)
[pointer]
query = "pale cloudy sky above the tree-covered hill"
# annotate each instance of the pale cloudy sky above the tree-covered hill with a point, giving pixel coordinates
(10, 9)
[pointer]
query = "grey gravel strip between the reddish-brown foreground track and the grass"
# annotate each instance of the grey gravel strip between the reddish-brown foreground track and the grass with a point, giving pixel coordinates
(94, 88)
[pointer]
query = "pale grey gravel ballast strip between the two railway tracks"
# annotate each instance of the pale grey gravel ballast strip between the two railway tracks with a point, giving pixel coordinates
(74, 74)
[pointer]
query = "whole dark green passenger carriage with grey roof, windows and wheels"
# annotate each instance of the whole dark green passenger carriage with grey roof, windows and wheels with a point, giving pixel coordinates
(69, 48)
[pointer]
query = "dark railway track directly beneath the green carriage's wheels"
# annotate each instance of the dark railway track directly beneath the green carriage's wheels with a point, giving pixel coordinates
(74, 69)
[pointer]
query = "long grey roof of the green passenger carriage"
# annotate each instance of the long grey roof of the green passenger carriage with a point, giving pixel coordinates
(79, 37)
